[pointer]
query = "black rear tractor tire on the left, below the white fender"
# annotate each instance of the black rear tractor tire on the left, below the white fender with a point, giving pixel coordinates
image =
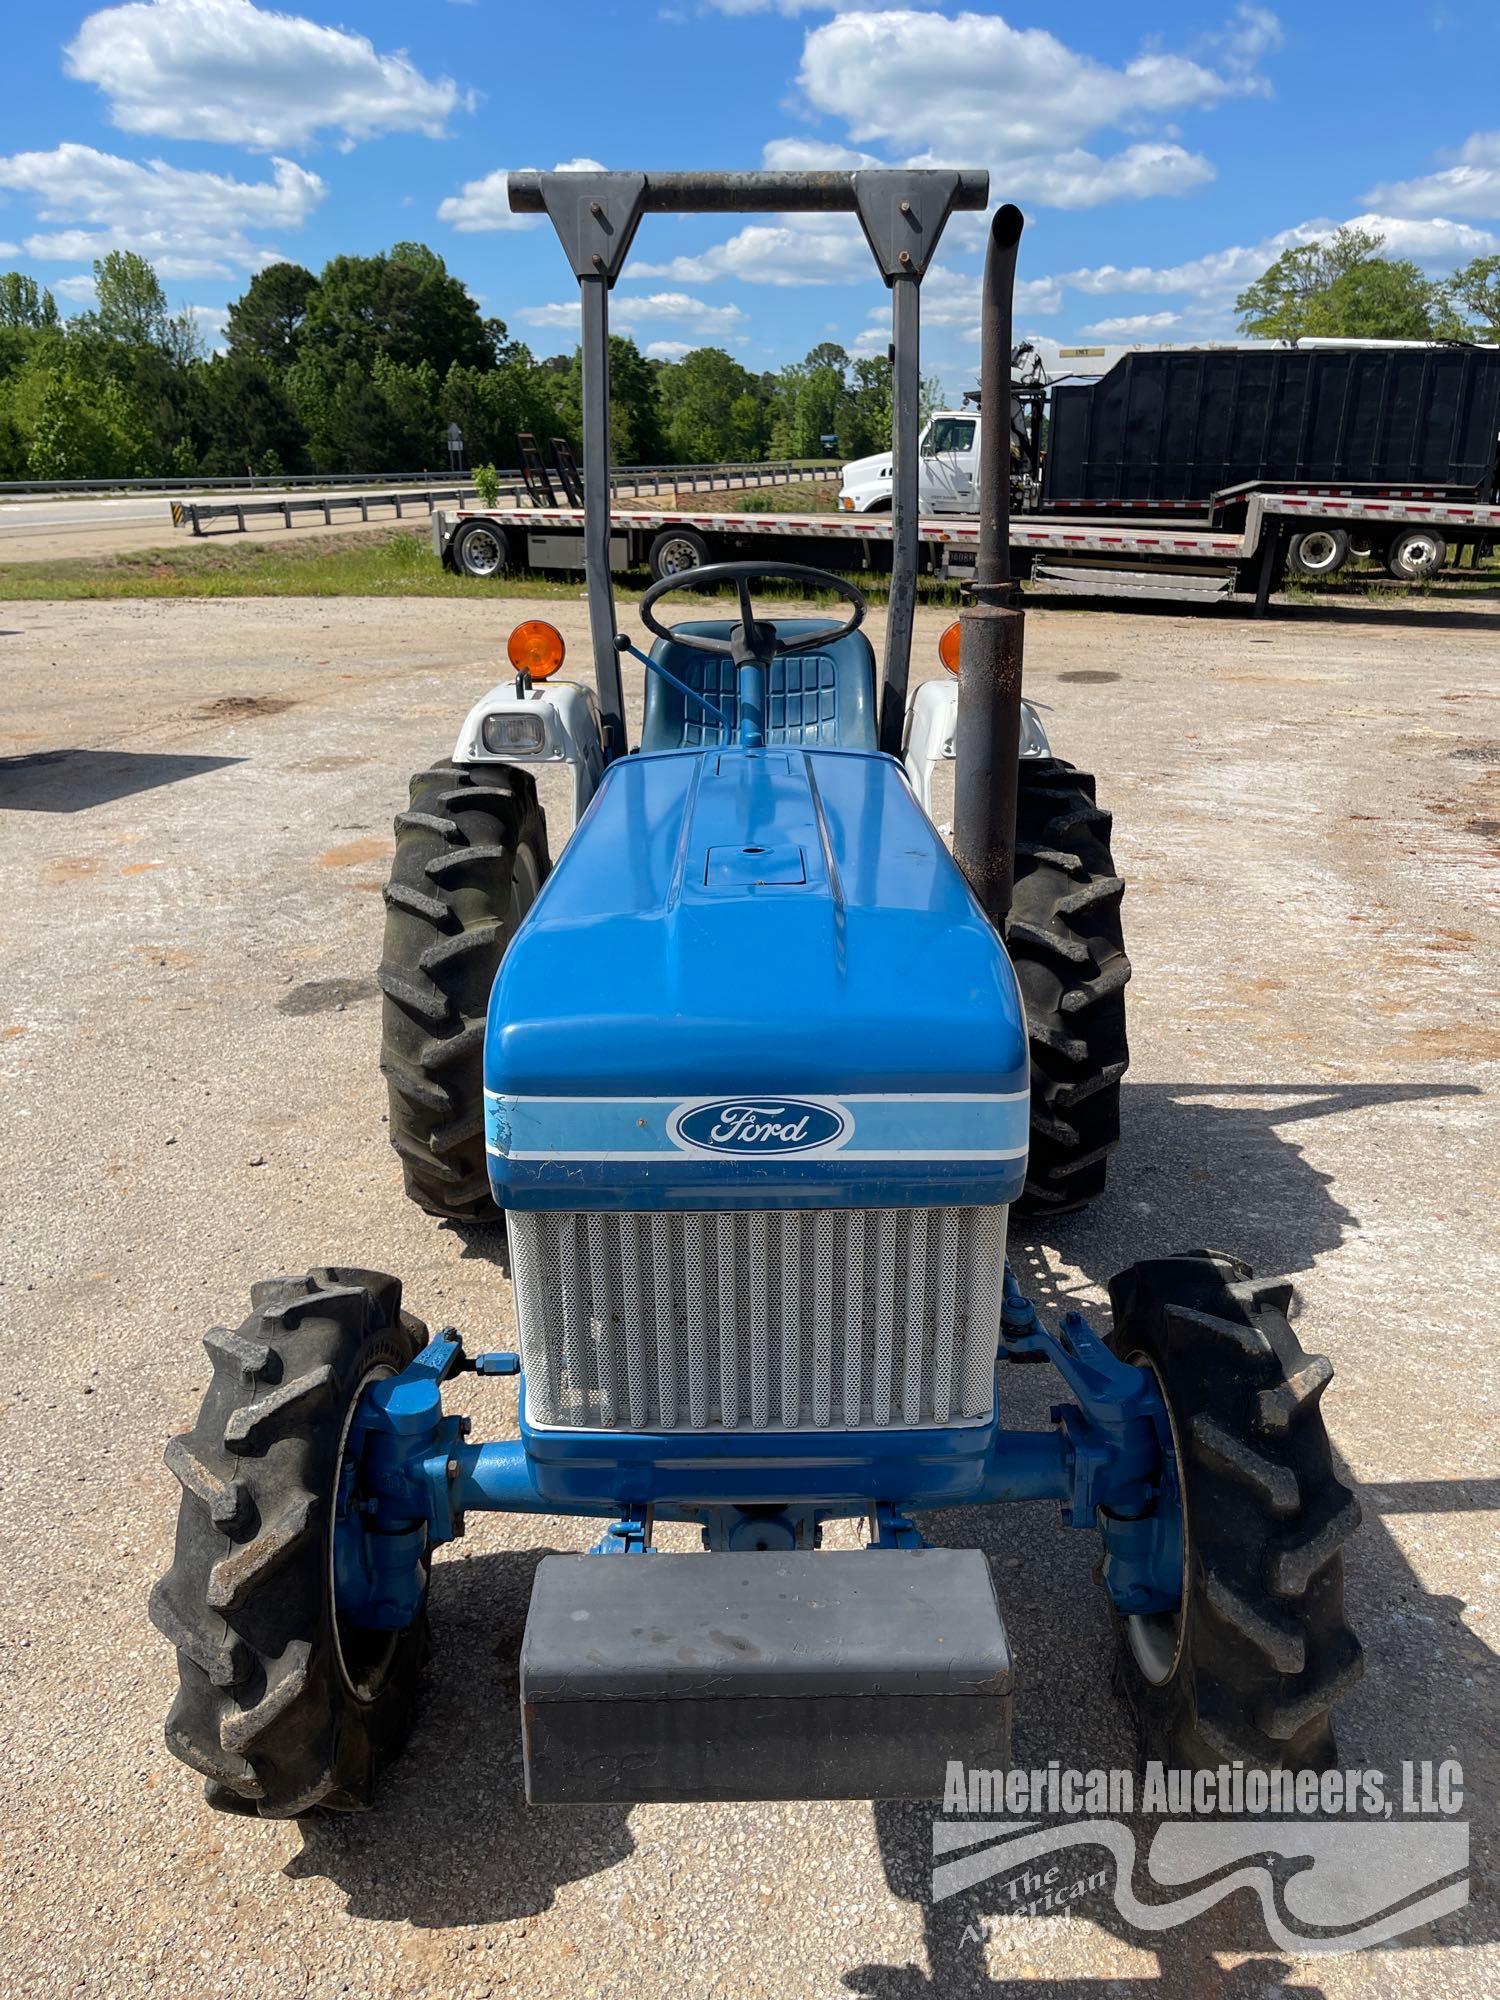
(471, 857)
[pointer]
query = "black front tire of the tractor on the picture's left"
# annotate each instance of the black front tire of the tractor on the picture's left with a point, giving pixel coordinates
(283, 1707)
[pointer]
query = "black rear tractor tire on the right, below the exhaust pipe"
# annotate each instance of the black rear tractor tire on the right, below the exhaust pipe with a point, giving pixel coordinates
(1069, 953)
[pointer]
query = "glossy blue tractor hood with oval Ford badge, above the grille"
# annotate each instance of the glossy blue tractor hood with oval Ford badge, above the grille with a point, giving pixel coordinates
(755, 979)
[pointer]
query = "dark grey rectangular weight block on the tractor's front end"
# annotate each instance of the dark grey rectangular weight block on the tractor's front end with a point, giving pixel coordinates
(735, 1677)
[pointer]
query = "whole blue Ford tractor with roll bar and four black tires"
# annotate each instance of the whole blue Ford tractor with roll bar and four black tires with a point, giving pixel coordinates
(755, 1213)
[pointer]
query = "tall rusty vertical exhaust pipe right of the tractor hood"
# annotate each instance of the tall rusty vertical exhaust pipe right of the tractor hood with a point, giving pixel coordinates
(991, 629)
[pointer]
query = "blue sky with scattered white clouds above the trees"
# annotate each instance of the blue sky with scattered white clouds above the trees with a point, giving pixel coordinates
(1161, 157)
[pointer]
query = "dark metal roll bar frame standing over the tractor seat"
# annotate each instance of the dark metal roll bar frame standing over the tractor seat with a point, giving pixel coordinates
(903, 215)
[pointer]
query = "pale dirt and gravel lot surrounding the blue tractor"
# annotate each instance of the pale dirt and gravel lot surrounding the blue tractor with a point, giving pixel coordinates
(1309, 817)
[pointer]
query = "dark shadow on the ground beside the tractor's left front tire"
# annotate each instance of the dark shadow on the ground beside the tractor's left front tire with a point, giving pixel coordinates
(453, 1841)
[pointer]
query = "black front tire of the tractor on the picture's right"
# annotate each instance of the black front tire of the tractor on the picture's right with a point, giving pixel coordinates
(1259, 1651)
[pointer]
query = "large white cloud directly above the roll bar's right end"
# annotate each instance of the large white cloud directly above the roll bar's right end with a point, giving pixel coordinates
(973, 85)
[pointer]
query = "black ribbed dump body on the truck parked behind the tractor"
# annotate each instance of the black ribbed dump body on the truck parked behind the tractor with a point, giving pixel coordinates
(1183, 431)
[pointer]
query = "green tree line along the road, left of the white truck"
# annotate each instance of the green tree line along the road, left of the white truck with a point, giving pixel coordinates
(363, 369)
